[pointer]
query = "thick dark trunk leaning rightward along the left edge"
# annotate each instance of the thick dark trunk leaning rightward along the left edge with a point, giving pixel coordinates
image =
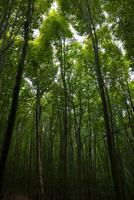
(15, 96)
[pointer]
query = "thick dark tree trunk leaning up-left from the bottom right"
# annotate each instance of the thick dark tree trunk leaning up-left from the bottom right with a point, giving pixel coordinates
(115, 161)
